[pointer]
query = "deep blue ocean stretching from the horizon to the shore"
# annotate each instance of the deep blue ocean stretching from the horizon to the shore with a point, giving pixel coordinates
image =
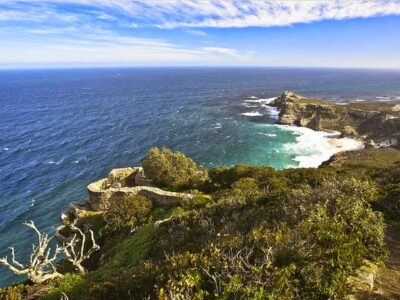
(61, 129)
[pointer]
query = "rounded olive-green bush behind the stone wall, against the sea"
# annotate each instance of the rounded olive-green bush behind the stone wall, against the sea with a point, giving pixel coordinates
(172, 170)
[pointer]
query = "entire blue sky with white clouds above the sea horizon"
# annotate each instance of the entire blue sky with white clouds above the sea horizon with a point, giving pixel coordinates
(103, 33)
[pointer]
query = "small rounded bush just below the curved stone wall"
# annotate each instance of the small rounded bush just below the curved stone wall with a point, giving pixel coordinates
(128, 212)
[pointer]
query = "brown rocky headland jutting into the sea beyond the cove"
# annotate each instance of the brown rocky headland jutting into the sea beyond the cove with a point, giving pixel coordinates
(376, 123)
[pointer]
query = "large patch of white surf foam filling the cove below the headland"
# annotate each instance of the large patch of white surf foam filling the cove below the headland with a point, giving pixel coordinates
(314, 147)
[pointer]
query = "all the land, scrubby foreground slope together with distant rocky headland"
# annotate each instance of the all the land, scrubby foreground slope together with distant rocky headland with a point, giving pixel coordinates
(170, 229)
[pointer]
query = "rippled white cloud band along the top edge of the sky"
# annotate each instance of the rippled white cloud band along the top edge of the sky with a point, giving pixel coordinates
(216, 13)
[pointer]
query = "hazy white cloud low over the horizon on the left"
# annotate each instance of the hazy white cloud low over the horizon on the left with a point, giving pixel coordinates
(91, 45)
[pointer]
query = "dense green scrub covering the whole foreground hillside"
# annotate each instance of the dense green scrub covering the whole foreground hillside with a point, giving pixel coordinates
(247, 233)
